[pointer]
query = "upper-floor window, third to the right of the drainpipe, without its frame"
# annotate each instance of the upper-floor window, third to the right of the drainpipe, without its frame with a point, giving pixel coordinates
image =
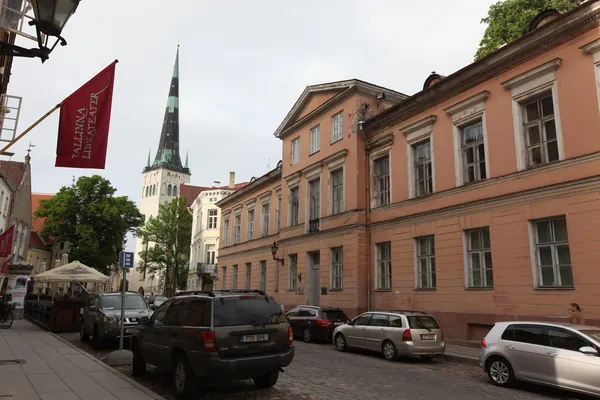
(473, 152)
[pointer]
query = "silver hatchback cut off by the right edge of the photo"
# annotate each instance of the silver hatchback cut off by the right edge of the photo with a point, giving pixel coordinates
(554, 354)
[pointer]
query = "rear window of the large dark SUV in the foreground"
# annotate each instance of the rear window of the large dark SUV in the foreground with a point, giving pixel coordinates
(253, 310)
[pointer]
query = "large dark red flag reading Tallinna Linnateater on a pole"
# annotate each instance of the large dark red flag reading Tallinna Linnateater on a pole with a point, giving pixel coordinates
(84, 122)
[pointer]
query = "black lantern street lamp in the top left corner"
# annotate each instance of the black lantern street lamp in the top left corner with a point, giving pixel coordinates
(50, 19)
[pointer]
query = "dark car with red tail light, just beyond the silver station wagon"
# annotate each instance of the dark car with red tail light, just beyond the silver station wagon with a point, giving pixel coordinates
(315, 323)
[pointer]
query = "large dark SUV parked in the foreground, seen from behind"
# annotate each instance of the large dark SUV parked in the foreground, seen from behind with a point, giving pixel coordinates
(215, 336)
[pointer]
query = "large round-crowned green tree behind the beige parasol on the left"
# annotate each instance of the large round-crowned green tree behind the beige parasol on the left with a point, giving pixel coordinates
(90, 217)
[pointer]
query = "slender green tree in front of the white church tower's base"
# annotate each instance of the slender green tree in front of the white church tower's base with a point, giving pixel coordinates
(167, 238)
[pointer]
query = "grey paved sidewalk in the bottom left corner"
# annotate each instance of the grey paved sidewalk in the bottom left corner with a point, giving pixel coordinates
(35, 364)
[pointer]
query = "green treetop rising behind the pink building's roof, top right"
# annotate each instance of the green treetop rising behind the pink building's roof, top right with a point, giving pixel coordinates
(508, 20)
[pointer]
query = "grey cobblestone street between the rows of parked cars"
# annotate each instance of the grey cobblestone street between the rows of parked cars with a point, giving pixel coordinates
(320, 372)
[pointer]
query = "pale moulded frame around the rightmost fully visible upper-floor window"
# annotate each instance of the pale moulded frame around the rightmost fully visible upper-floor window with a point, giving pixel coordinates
(526, 87)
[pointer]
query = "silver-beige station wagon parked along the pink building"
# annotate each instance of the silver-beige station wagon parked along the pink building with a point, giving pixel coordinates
(393, 333)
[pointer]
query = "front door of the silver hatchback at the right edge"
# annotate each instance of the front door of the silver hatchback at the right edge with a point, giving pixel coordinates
(569, 367)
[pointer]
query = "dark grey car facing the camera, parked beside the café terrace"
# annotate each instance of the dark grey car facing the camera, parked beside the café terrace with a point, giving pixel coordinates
(102, 314)
